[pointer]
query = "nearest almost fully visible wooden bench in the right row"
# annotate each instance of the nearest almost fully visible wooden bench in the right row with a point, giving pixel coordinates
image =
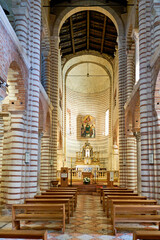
(135, 214)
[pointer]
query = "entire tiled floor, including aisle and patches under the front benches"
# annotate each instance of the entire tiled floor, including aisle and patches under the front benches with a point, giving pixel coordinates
(89, 222)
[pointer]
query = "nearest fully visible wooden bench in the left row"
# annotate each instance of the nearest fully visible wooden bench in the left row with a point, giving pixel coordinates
(38, 212)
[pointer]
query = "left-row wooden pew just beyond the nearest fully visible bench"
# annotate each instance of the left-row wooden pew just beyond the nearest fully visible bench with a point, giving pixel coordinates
(52, 201)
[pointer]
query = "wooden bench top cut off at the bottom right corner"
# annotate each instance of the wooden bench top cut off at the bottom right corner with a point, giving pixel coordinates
(146, 235)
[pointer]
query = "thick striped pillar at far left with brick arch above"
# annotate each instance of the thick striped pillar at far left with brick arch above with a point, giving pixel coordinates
(14, 115)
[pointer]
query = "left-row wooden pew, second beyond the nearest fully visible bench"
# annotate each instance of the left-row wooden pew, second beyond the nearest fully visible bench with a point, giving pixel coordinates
(70, 197)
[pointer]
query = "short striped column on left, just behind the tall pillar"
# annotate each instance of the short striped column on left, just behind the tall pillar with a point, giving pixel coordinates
(45, 163)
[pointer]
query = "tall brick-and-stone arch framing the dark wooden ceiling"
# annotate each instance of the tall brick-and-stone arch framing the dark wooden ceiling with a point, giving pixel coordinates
(116, 19)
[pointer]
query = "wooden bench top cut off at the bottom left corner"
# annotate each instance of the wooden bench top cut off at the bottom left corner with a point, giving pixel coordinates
(26, 234)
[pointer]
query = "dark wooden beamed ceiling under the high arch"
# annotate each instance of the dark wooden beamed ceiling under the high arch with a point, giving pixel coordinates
(88, 30)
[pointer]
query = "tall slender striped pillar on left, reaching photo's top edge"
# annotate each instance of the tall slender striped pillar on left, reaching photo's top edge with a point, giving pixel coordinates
(32, 119)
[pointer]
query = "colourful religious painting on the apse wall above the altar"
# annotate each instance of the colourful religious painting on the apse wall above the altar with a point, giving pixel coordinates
(88, 127)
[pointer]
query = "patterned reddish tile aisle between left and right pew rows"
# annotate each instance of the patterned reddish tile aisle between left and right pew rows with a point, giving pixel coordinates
(89, 217)
